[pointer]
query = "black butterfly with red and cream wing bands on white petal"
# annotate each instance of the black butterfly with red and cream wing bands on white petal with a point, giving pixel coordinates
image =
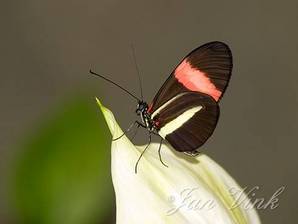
(185, 110)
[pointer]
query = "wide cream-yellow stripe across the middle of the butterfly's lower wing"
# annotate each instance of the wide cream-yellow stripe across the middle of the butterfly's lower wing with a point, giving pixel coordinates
(178, 121)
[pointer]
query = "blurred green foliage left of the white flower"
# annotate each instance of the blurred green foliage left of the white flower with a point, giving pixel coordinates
(63, 172)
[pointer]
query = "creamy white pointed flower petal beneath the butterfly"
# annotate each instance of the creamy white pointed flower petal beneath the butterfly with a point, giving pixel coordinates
(189, 191)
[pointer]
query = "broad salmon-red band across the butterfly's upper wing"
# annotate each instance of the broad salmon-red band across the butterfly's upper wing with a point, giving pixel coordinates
(196, 80)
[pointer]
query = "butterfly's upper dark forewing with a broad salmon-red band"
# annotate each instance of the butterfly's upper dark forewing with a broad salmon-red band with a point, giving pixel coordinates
(207, 69)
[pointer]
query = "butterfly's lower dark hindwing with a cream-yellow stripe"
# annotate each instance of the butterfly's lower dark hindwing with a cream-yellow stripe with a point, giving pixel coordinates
(187, 120)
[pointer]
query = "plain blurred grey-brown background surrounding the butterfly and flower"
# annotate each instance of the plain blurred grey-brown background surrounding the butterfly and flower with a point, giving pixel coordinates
(48, 47)
